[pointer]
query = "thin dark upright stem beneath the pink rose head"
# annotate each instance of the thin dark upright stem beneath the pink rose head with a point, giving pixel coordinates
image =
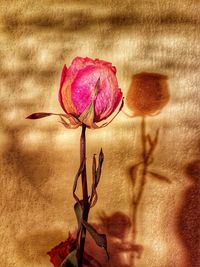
(85, 196)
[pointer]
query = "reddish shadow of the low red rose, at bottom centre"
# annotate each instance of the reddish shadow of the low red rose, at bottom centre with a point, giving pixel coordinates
(121, 248)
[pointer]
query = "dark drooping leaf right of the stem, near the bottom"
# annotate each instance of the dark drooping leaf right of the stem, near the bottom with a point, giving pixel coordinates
(100, 239)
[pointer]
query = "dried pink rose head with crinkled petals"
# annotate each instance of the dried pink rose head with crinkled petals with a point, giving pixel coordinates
(89, 90)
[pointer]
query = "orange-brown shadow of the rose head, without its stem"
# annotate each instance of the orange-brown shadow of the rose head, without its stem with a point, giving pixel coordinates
(148, 93)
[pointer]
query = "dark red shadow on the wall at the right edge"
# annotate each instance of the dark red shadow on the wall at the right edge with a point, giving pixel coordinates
(188, 225)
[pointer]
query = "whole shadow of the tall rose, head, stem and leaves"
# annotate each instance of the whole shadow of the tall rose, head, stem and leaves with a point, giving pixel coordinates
(147, 95)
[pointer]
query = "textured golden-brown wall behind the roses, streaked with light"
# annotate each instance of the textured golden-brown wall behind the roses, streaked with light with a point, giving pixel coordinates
(40, 158)
